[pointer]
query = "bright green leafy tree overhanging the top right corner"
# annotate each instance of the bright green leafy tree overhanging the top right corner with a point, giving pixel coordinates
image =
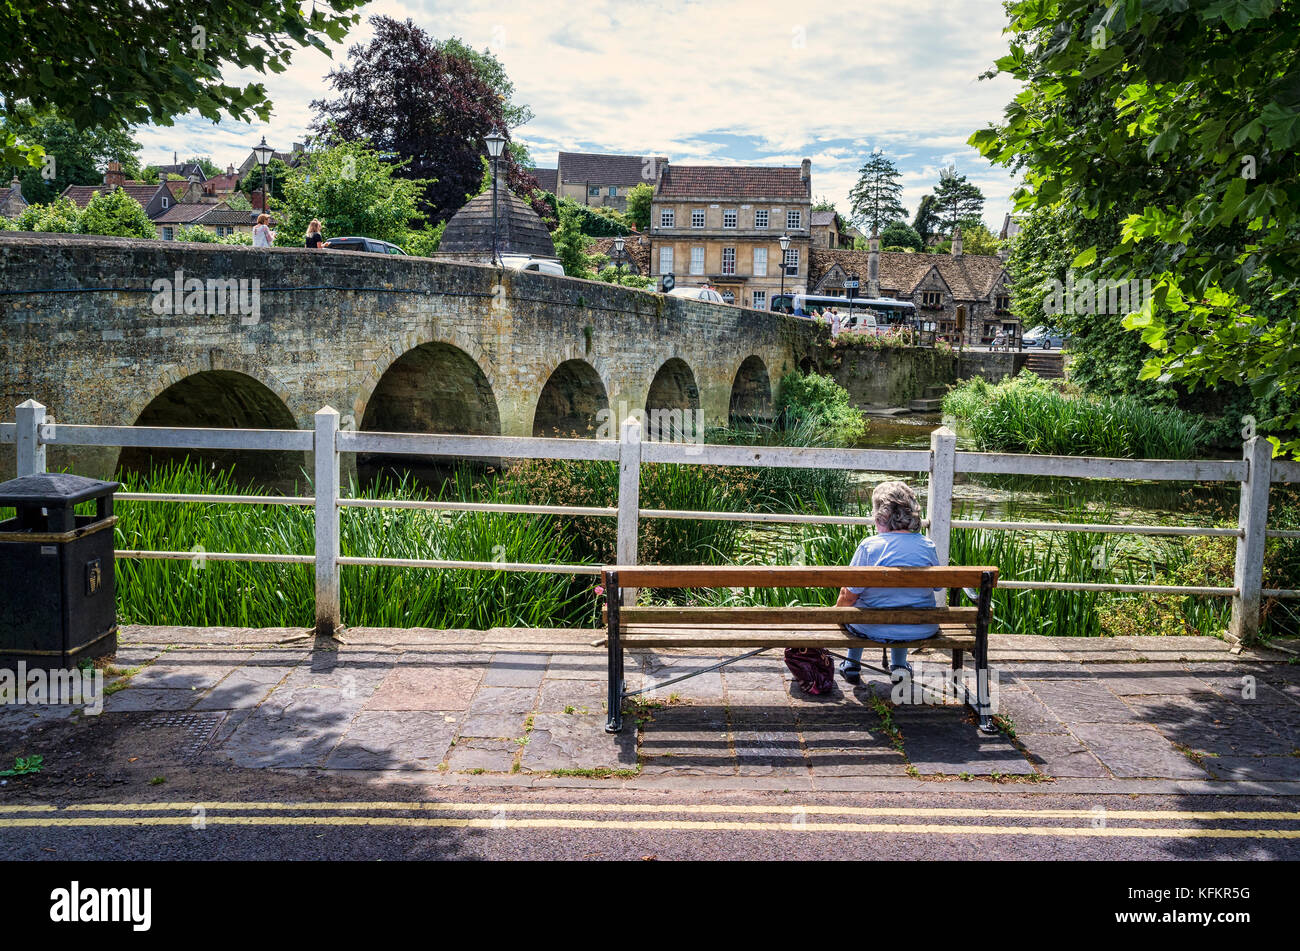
(1195, 118)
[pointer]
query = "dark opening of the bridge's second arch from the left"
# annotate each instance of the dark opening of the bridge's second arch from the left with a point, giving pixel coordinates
(431, 388)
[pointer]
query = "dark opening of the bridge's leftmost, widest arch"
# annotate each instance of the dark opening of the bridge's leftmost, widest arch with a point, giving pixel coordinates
(219, 399)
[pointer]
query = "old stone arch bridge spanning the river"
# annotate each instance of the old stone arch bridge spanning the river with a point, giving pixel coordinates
(118, 332)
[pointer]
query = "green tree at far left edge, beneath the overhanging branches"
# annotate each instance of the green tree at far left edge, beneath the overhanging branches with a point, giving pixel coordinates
(73, 157)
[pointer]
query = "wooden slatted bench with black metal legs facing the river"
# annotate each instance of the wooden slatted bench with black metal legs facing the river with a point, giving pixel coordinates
(961, 629)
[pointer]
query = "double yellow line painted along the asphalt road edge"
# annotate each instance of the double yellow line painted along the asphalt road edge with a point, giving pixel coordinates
(666, 818)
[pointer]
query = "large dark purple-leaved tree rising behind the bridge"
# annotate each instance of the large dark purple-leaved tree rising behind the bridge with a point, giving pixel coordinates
(427, 105)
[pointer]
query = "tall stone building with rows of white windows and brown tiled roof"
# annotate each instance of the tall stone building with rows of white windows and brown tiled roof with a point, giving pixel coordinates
(722, 225)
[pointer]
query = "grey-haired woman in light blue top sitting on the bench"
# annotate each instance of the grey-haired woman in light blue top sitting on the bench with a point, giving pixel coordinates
(898, 544)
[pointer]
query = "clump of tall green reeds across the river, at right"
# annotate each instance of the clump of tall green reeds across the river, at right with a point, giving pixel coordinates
(1025, 414)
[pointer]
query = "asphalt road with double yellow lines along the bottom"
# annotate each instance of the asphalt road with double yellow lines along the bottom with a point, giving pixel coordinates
(595, 824)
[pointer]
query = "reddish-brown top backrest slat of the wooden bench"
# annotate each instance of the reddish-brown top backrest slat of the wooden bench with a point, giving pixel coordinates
(785, 576)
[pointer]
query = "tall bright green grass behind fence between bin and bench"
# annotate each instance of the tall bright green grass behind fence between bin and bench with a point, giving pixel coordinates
(209, 593)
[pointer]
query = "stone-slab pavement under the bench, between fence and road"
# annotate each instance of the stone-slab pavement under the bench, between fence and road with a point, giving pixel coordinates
(534, 704)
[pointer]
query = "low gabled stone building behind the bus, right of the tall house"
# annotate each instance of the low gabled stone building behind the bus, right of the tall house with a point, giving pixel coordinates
(944, 288)
